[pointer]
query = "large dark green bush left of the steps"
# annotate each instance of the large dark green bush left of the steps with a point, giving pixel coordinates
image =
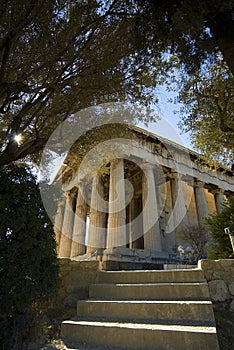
(28, 263)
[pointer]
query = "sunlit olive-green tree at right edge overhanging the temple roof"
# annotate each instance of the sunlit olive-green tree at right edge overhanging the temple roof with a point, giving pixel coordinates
(208, 112)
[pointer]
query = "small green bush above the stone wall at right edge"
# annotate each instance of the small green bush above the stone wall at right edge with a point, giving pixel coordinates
(221, 247)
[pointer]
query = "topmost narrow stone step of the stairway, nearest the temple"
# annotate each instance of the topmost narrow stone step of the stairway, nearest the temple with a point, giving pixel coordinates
(155, 276)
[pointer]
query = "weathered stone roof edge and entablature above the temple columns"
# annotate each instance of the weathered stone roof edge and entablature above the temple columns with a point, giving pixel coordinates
(167, 152)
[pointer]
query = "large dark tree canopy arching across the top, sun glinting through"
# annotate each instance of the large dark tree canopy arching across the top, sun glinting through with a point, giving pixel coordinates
(58, 57)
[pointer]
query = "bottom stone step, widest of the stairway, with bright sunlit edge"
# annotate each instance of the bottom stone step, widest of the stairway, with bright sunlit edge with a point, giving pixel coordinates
(113, 335)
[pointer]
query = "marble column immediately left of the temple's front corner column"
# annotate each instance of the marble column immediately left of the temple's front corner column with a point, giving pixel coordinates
(97, 231)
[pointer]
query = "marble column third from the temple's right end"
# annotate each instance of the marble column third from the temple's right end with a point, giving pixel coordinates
(178, 203)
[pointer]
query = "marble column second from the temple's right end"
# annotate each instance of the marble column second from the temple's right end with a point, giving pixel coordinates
(201, 202)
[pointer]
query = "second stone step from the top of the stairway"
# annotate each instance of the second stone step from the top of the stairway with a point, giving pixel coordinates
(150, 291)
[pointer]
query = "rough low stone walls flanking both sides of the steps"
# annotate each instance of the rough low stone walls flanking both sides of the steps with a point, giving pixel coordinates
(76, 276)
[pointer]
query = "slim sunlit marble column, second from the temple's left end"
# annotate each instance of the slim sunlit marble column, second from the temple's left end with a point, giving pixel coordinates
(67, 228)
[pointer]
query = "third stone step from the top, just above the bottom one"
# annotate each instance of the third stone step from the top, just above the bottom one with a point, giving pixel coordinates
(168, 312)
